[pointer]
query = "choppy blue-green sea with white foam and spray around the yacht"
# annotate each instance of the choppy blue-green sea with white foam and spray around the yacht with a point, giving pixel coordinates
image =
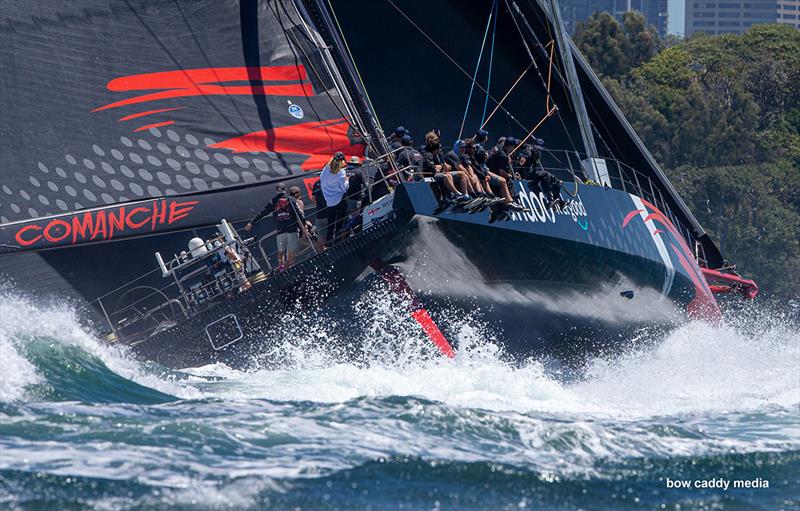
(476, 431)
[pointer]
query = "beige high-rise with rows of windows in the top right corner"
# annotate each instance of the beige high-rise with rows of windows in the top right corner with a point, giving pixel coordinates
(724, 17)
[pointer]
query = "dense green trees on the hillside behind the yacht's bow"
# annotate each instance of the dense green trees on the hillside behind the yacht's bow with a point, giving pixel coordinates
(721, 115)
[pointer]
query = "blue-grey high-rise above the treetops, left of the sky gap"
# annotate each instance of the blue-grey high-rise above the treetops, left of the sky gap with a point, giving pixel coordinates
(655, 11)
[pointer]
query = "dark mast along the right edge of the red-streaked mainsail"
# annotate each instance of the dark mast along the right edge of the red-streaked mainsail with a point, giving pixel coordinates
(321, 18)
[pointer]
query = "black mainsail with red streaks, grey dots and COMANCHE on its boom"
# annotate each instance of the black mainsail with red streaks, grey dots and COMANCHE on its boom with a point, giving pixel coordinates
(128, 117)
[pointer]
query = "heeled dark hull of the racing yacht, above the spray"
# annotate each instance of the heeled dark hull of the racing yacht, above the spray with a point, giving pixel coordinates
(560, 286)
